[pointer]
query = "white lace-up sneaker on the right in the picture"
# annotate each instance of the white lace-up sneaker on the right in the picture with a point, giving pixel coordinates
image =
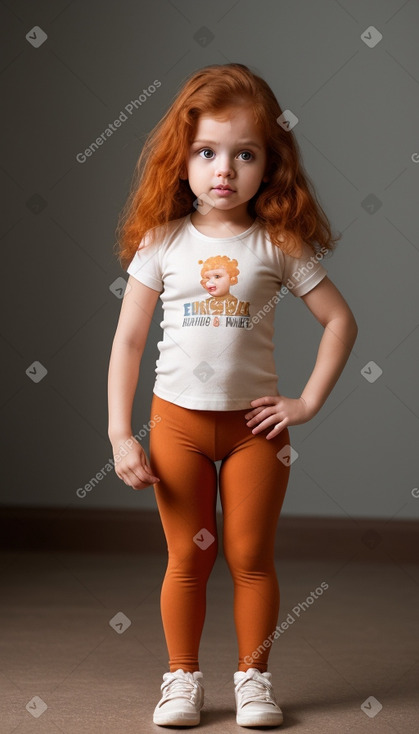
(255, 699)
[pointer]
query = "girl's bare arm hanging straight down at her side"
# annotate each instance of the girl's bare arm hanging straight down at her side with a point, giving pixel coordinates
(131, 463)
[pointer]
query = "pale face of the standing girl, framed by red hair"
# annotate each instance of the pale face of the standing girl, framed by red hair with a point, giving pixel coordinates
(229, 153)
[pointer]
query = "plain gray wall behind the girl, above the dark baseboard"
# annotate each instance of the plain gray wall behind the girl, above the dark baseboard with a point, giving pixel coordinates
(358, 121)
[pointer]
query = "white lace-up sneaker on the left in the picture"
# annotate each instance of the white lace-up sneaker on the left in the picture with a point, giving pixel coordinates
(182, 699)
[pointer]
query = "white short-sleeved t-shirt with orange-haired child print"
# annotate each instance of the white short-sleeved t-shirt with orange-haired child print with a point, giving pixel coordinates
(219, 297)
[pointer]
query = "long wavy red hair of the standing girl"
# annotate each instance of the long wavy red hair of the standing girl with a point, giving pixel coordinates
(286, 205)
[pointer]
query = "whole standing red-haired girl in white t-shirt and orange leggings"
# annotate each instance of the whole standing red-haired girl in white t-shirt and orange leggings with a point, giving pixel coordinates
(220, 188)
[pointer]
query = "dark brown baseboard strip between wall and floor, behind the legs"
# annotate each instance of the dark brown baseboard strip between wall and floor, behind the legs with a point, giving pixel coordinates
(110, 530)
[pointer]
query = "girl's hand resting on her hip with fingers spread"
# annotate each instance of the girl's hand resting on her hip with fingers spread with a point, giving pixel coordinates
(277, 411)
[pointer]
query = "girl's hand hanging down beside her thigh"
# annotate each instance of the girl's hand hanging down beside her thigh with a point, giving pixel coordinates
(131, 463)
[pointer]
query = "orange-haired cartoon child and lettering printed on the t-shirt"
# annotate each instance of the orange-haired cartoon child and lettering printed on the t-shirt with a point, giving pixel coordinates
(221, 308)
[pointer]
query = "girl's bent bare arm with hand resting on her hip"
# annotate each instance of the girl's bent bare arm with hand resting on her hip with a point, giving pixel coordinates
(329, 307)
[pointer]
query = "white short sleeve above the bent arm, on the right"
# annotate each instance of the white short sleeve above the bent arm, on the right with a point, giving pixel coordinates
(302, 273)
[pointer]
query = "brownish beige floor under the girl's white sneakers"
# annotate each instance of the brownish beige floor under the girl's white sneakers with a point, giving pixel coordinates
(358, 640)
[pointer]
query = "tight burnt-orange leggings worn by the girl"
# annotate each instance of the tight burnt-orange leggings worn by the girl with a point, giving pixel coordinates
(252, 482)
